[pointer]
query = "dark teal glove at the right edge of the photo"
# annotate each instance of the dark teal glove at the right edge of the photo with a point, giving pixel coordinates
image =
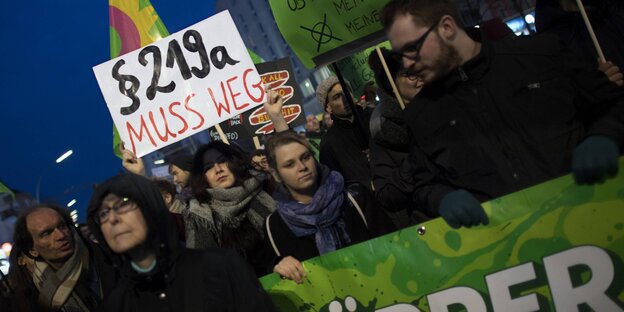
(595, 160)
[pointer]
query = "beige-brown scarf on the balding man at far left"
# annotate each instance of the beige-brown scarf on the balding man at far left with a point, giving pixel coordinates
(57, 289)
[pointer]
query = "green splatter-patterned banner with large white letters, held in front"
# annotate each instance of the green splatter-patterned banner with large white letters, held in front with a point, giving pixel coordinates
(553, 247)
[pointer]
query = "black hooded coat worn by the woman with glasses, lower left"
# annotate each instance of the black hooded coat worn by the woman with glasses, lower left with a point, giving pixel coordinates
(183, 279)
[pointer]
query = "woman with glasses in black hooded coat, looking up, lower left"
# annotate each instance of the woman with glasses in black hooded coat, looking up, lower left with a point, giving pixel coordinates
(129, 217)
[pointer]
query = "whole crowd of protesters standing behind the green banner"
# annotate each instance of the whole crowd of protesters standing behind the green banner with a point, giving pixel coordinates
(485, 114)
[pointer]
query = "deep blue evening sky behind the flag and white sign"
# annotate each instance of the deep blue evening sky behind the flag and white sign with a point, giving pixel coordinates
(50, 99)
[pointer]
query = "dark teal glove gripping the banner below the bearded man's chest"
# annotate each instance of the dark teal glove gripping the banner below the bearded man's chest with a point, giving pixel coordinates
(460, 208)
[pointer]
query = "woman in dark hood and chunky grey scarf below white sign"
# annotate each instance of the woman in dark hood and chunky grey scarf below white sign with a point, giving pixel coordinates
(230, 205)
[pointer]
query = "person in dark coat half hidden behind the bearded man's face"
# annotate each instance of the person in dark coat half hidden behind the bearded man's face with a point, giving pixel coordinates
(389, 144)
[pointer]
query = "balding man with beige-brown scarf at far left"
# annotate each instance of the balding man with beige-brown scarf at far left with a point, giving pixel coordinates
(53, 267)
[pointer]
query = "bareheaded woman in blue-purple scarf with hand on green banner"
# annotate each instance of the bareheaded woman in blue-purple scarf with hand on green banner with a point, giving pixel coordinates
(316, 212)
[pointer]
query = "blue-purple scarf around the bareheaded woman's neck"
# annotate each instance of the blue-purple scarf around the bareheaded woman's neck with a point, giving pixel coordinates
(323, 217)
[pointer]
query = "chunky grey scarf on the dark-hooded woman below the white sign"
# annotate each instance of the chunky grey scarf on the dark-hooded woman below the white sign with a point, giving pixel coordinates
(227, 208)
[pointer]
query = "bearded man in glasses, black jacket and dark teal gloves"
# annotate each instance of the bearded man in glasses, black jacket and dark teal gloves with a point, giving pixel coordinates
(498, 117)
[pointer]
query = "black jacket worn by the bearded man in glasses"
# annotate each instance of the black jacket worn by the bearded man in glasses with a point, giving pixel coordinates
(508, 119)
